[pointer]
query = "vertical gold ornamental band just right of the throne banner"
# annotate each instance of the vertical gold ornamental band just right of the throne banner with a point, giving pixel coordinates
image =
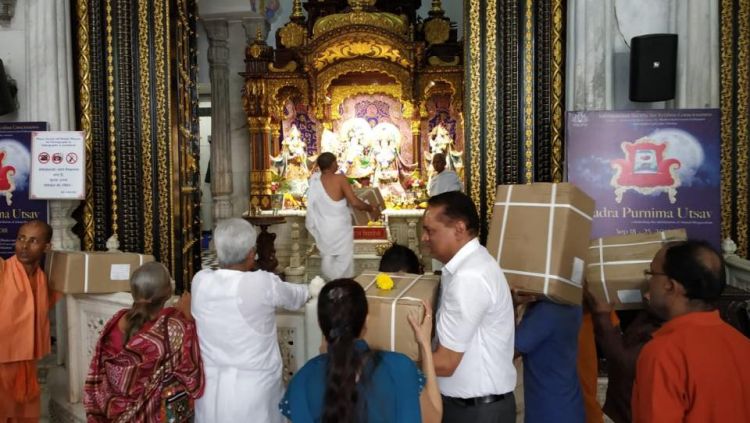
(727, 50)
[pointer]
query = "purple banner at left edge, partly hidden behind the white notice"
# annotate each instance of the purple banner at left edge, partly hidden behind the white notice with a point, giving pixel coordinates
(15, 206)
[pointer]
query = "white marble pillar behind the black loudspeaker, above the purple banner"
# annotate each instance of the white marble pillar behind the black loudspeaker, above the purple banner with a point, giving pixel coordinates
(598, 51)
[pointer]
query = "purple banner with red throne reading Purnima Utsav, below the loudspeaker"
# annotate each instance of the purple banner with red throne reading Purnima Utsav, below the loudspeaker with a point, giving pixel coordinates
(648, 170)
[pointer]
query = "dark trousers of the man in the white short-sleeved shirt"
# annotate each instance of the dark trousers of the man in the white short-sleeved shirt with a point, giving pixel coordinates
(503, 411)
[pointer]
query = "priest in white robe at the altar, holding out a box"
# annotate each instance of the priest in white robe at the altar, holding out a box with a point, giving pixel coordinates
(329, 218)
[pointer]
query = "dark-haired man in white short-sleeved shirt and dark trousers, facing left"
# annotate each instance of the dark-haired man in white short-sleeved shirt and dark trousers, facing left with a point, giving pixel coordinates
(474, 322)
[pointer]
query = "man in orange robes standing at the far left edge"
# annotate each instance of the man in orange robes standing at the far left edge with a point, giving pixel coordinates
(24, 323)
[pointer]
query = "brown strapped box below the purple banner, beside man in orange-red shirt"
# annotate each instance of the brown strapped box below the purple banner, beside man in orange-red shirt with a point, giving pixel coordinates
(616, 264)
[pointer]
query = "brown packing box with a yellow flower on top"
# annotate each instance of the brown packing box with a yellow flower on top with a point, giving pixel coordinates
(387, 327)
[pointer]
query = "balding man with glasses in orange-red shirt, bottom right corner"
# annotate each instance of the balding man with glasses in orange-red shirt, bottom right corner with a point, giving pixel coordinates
(696, 368)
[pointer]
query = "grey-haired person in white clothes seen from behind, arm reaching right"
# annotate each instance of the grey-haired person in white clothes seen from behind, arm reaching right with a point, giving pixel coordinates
(235, 313)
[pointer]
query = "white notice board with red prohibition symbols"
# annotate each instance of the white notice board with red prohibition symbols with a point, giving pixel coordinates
(58, 166)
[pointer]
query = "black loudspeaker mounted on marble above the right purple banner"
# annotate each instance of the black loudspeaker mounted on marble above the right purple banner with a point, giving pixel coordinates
(653, 67)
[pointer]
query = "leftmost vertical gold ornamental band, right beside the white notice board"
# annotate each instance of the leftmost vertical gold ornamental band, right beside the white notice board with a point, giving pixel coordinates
(85, 77)
